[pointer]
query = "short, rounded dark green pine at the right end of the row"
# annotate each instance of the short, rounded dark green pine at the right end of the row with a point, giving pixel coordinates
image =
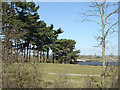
(65, 50)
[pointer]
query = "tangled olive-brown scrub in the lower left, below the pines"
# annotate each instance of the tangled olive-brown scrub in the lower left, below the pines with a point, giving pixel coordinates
(21, 75)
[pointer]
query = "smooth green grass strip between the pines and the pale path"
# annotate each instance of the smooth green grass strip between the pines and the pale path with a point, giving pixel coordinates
(74, 69)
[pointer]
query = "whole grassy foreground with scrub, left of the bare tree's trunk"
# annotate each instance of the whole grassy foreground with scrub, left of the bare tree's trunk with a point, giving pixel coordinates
(37, 75)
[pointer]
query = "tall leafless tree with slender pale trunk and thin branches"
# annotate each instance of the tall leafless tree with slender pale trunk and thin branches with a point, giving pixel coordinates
(106, 14)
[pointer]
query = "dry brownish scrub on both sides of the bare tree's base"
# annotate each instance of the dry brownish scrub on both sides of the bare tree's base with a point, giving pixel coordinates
(111, 79)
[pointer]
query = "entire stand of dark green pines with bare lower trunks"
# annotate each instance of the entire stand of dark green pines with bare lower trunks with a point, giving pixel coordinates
(26, 38)
